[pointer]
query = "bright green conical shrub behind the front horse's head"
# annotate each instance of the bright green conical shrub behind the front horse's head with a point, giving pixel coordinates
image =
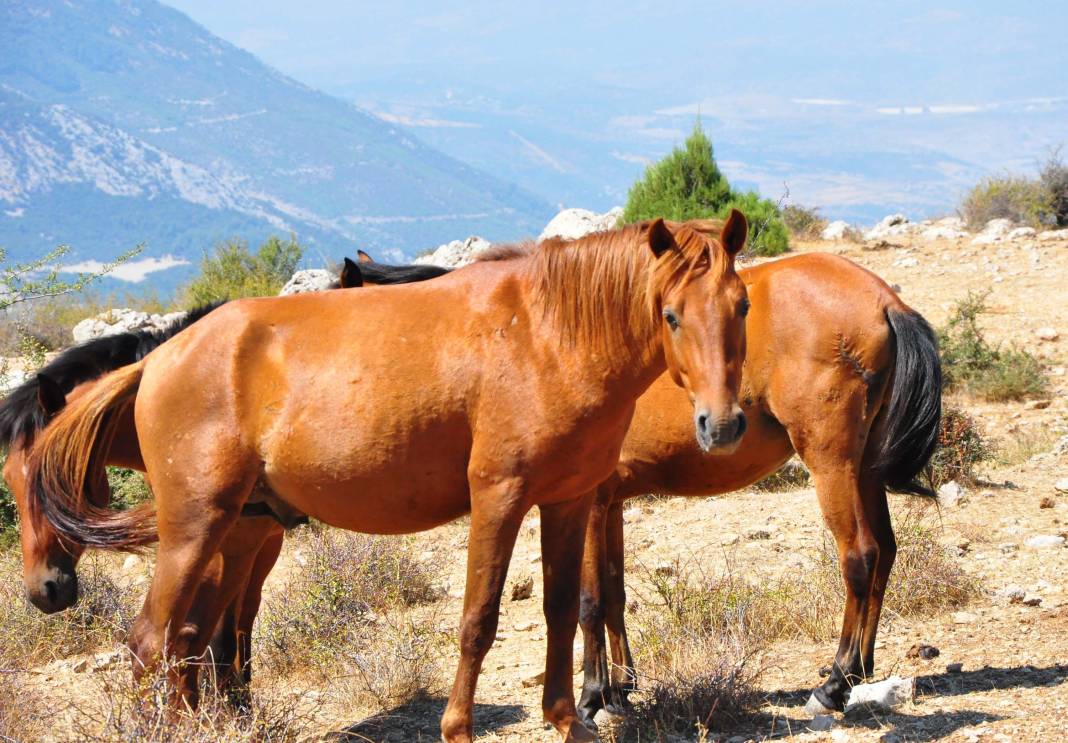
(688, 184)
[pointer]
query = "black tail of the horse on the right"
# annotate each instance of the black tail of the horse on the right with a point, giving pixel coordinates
(916, 404)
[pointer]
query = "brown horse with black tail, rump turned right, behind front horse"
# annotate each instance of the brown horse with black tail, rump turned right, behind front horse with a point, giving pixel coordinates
(839, 371)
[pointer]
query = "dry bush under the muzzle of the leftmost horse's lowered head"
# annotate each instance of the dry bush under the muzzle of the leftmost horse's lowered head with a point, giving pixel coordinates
(104, 612)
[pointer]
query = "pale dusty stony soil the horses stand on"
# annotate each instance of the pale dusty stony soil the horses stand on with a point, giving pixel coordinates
(1014, 683)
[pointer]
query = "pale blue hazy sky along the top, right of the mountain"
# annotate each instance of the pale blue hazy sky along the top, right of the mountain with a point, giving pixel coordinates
(886, 54)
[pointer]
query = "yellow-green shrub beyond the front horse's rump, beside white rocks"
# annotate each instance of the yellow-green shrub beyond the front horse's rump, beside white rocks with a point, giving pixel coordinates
(233, 272)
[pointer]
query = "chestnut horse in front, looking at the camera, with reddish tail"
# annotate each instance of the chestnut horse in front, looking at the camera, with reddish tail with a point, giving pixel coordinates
(501, 387)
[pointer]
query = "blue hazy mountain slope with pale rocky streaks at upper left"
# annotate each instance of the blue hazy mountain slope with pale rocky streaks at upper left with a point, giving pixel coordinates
(127, 122)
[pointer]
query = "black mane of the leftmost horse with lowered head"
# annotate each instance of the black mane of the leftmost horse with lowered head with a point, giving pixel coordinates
(22, 417)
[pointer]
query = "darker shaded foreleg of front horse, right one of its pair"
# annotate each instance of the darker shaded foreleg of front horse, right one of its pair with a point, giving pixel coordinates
(563, 534)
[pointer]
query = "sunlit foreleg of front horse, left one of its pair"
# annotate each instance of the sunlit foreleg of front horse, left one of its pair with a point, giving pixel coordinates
(496, 518)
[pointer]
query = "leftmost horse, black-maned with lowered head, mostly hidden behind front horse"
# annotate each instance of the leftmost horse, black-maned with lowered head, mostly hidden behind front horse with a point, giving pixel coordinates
(50, 562)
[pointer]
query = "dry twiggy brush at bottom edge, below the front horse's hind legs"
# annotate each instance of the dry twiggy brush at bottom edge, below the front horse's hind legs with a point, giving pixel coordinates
(125, 710)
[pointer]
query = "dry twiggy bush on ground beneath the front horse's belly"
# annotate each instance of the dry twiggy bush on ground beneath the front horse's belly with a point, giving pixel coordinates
(347, 614)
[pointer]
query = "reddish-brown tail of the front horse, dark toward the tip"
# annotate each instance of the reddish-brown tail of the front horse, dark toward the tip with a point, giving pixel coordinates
(69, 457)
